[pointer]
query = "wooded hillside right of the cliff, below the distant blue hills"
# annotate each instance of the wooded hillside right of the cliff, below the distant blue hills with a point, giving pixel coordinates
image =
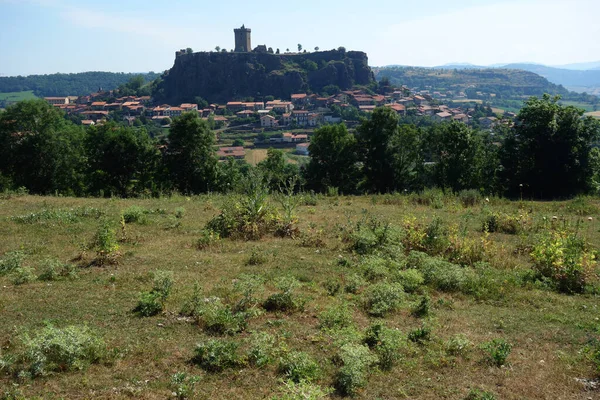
(506, 83)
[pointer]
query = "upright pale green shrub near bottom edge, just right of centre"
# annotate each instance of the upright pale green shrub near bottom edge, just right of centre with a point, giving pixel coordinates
(355, 360)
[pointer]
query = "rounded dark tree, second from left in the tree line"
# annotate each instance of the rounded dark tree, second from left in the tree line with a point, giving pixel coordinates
(121, 161)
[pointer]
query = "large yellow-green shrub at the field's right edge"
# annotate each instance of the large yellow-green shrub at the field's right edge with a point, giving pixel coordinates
(564, 259)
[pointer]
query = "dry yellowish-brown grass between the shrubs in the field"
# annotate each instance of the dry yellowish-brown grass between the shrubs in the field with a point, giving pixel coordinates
(548, 330)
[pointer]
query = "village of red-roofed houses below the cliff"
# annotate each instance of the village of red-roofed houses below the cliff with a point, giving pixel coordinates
(278, 123)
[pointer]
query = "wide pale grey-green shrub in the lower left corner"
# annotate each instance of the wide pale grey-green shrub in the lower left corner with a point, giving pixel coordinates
(55, 350)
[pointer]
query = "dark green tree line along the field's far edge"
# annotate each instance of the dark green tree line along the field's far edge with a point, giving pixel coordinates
(548, 153)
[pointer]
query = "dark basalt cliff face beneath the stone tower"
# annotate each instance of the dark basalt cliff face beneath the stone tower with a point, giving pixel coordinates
(221, 77)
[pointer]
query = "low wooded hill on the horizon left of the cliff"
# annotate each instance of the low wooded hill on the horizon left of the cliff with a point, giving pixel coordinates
(78, 84)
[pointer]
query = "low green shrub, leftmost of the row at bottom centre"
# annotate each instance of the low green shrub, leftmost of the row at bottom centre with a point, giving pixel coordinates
(215, 355)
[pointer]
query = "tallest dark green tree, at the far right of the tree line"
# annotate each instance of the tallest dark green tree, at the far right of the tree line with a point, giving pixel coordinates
(548, 150)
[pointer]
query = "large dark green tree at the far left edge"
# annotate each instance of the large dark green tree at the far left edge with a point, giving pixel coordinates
(40, 149)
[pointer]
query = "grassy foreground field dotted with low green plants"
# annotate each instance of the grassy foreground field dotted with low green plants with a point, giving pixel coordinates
(344, 262)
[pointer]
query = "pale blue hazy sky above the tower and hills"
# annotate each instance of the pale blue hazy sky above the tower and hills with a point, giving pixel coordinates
(49, 36)
